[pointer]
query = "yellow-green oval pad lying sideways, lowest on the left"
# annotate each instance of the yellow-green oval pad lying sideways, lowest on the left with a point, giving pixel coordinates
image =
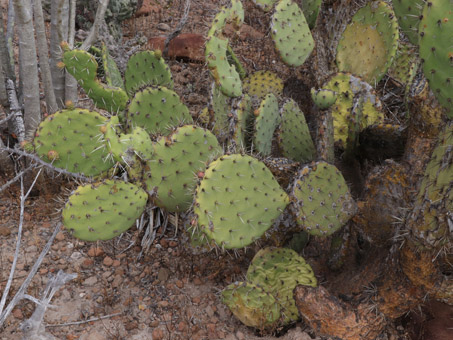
(104, 210)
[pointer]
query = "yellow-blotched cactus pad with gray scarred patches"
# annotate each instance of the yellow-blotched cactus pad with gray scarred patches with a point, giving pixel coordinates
(351, 90)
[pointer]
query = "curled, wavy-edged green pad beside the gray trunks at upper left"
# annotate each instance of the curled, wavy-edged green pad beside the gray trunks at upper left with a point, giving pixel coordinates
(83, 67)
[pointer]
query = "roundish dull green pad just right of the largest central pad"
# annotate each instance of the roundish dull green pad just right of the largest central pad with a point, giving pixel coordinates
(322, 203)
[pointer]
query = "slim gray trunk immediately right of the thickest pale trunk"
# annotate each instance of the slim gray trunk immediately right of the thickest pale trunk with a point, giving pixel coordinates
(43, 53)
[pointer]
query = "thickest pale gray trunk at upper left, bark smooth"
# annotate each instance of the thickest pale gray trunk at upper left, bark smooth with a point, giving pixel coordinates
(28, 64)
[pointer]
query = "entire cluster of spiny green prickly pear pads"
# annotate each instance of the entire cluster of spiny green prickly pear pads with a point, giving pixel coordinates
(149, 138)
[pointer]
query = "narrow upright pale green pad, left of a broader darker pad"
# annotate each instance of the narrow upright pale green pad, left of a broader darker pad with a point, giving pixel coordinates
(267, 120)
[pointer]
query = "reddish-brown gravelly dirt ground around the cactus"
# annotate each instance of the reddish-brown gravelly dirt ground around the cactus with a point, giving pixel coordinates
(168, 292)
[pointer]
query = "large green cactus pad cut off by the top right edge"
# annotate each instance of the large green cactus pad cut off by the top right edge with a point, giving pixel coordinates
(436, 50)
